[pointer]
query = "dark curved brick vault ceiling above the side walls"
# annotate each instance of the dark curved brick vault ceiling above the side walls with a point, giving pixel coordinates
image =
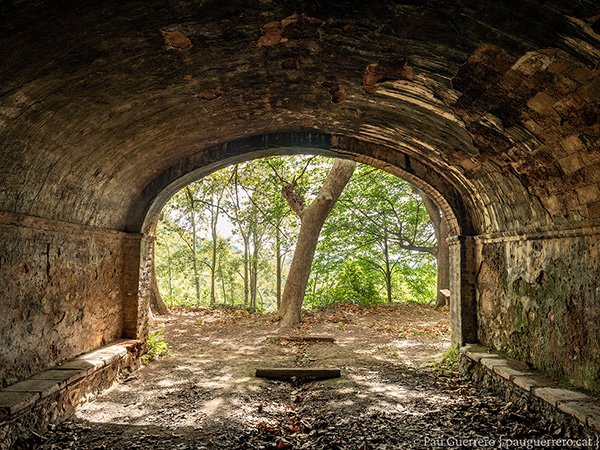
(101, 102)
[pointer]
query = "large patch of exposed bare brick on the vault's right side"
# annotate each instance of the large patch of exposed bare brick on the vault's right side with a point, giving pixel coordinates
(534, 117)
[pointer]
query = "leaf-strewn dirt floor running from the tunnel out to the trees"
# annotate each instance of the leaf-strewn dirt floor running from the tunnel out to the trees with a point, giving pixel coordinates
(204, 395)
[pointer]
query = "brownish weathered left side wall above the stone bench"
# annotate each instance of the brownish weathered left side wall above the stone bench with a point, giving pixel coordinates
(63, 292)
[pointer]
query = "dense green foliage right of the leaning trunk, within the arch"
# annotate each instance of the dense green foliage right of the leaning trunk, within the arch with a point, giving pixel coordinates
(381, 225)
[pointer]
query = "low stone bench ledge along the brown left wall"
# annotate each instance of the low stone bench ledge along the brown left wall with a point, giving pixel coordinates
(52, 395)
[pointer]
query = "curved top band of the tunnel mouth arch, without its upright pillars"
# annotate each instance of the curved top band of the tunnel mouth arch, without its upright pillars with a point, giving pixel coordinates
(411, 169)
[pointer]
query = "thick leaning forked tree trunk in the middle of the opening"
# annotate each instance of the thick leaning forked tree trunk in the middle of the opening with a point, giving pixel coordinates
(312, 218)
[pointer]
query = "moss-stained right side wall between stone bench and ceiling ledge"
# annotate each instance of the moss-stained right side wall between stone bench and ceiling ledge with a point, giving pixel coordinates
(539, 301)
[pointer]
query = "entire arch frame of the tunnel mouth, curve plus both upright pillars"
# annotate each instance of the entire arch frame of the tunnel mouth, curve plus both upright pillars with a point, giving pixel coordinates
(422, 176)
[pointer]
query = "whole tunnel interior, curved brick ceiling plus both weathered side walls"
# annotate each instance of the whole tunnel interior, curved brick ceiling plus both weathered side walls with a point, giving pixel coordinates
(104, 106)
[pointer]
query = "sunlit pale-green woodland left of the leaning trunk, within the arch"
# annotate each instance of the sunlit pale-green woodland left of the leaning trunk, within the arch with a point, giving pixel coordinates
(235, 269)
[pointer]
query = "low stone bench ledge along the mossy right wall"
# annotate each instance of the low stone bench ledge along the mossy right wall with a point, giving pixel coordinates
(519, 383)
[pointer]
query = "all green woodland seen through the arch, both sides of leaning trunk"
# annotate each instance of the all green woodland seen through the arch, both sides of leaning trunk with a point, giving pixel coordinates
(364, 253)
